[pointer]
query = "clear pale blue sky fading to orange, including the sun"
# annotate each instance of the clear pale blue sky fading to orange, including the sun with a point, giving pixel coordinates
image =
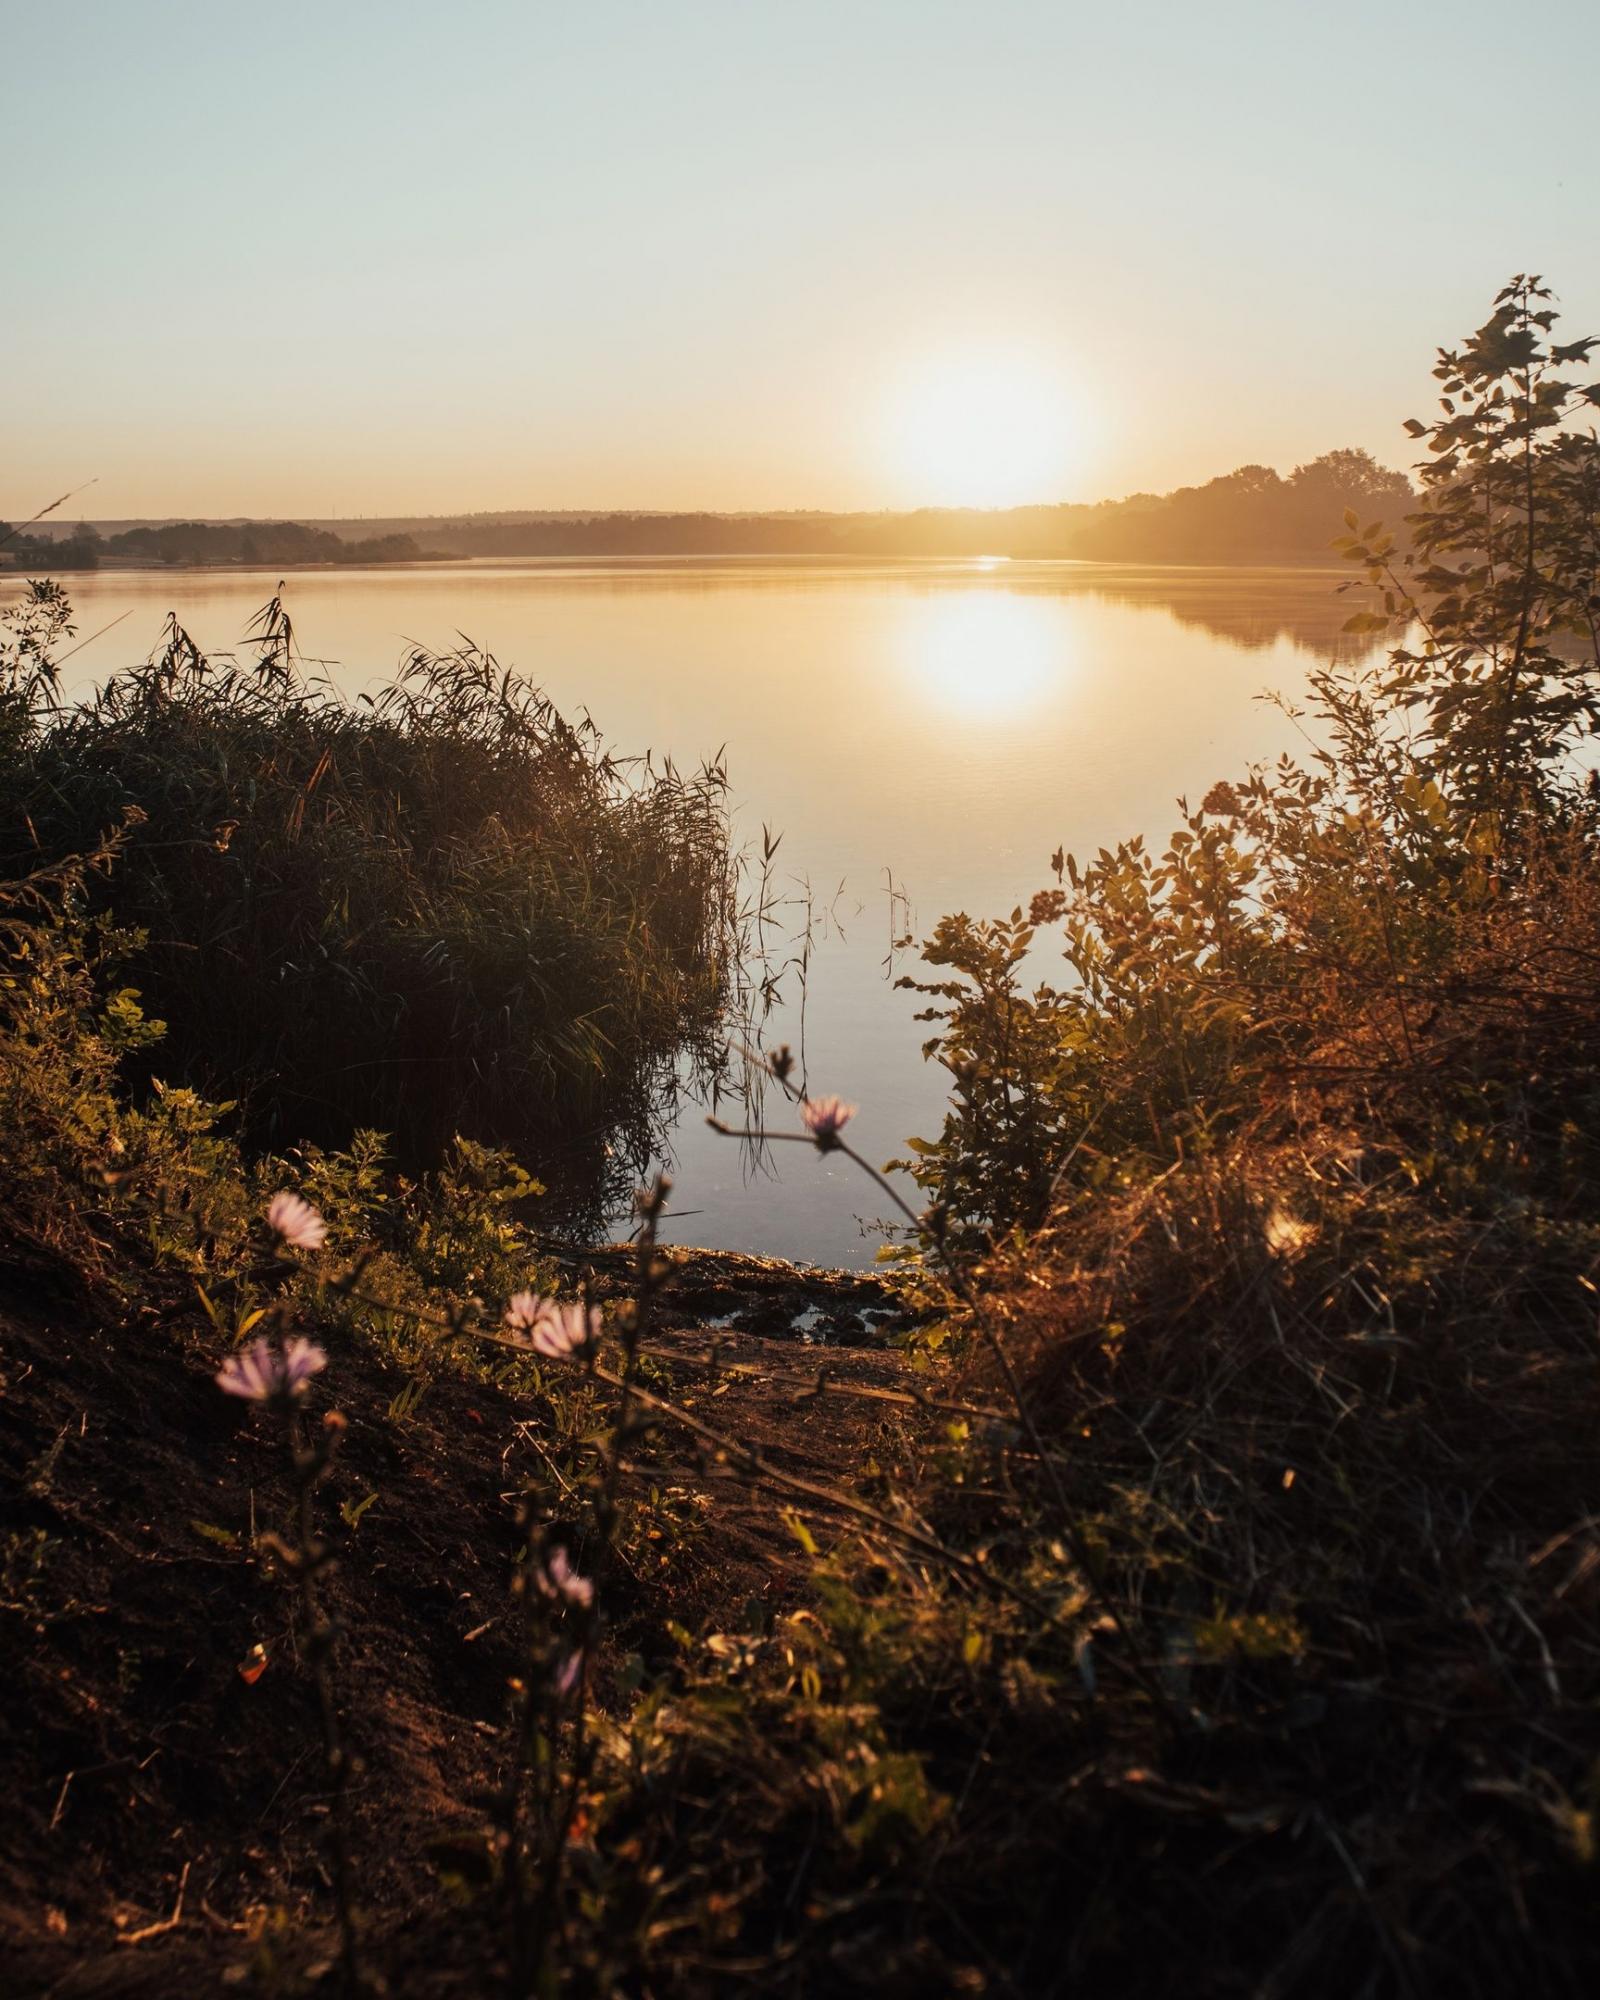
(413, 257)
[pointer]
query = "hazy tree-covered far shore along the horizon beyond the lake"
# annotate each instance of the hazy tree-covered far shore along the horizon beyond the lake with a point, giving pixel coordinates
(1253, 515)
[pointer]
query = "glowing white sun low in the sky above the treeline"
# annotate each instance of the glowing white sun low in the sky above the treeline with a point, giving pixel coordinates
(993, 429)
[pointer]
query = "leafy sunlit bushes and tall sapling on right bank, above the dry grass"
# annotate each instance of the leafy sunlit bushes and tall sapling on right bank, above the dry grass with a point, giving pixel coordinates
(1347, 939)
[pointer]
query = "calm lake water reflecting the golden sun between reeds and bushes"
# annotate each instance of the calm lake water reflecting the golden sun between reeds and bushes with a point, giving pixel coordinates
(951, 723)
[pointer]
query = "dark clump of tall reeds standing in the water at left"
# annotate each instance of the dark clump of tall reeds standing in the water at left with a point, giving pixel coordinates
(445, 911)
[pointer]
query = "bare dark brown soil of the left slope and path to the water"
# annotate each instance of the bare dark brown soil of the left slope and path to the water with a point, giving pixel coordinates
(159, 1739)
